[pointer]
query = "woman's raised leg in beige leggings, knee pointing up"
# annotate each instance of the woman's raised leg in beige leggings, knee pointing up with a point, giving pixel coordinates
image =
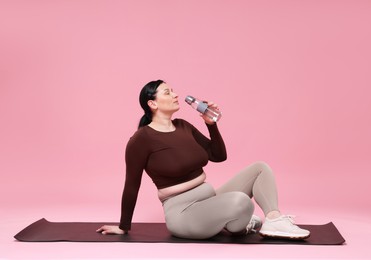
(256, 180)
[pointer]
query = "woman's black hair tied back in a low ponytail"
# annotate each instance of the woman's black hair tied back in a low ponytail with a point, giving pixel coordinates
(148, 92)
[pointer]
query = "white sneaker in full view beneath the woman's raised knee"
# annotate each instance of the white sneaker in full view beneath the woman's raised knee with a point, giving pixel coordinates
(283, 227)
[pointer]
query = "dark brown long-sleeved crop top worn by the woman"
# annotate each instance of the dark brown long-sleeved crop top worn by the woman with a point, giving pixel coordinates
(169, 158)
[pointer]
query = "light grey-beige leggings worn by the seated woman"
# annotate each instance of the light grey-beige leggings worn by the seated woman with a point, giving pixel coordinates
(203, 212)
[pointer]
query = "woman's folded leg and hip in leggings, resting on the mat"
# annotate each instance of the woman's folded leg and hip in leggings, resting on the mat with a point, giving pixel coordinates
(199, 214)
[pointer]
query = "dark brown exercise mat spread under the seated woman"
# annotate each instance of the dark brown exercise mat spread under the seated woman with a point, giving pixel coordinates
(45, 231)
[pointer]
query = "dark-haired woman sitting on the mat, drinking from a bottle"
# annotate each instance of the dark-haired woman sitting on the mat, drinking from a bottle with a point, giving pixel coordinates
(173, 153)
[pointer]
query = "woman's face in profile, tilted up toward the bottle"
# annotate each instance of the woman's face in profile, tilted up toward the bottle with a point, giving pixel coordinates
(166, 99)
